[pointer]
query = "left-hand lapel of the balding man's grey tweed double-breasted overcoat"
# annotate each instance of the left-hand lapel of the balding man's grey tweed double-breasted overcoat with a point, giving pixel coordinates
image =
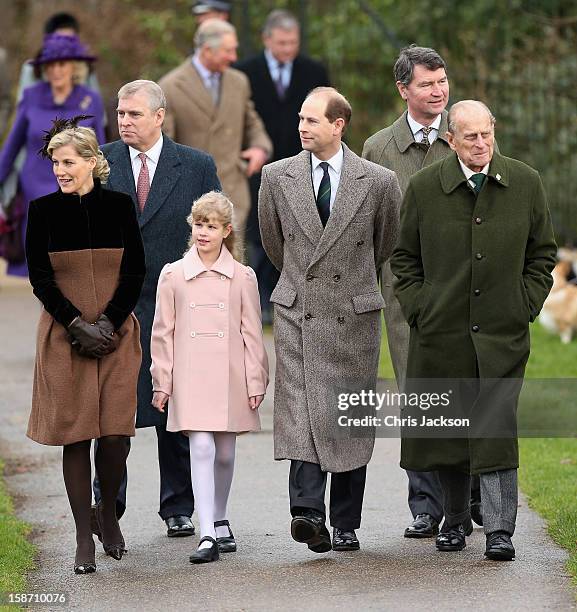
(297, 186)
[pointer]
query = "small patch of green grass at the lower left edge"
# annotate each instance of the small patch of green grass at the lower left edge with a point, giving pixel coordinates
(16, 552)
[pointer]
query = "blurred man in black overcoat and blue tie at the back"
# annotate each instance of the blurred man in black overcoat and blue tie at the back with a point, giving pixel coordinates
(280, 80)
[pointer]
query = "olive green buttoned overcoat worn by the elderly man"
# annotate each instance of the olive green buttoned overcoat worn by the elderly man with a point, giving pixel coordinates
(472, 272)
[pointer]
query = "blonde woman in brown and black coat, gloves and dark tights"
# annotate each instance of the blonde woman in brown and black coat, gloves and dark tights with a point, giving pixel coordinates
(86, 263)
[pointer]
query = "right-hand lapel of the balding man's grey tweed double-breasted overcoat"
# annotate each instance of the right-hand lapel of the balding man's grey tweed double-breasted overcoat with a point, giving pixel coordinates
(352, 191)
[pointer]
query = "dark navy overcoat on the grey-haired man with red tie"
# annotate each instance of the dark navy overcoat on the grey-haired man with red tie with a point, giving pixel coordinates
(183, 174)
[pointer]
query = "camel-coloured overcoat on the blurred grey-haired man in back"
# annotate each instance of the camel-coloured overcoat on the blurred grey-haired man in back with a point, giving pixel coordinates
(223, 131)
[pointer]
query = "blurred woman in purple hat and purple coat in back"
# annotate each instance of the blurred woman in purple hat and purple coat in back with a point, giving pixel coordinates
(61, 62)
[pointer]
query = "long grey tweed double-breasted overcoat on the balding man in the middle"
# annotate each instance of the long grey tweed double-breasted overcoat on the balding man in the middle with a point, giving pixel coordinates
(327, 302)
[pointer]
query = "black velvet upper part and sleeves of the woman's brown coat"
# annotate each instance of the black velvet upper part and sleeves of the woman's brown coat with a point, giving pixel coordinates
(101, 219)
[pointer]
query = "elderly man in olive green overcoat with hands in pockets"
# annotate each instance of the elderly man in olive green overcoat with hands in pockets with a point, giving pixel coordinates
(473, 267)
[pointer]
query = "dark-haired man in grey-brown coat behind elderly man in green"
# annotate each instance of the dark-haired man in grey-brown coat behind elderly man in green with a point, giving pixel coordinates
(415, 140)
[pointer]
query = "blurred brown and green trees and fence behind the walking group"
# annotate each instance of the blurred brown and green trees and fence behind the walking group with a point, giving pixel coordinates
(517, 56)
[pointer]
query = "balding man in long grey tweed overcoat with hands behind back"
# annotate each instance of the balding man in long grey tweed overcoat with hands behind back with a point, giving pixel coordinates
(328, 221)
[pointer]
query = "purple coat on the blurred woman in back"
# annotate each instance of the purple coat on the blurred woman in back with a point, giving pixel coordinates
(35, 113)
